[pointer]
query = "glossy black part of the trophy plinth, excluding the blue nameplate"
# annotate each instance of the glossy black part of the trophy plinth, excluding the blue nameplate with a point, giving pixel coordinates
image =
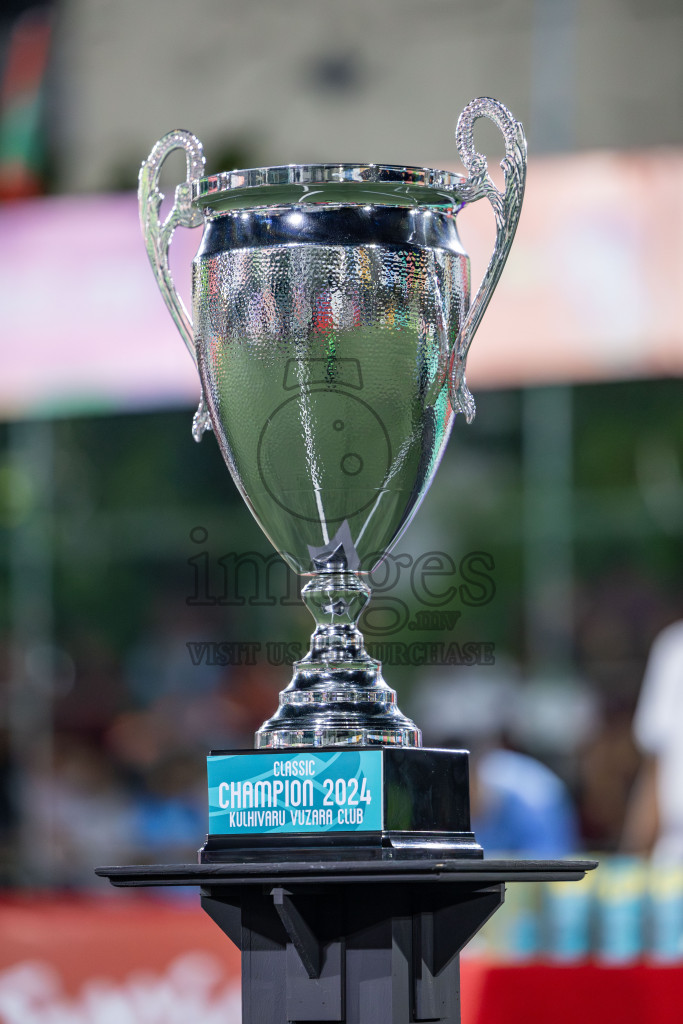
(425, 814)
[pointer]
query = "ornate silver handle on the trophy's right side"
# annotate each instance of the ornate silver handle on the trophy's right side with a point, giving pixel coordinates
(506, 206)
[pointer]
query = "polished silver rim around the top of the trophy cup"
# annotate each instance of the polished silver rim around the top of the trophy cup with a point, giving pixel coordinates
(209, 189)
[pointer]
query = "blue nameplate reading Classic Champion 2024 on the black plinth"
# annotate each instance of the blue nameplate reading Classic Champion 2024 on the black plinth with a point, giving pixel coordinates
(295, 792)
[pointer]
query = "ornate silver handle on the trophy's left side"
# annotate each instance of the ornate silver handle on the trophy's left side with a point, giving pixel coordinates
(158, 236)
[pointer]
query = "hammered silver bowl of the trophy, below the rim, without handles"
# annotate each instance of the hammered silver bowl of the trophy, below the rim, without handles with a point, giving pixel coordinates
(325, 370)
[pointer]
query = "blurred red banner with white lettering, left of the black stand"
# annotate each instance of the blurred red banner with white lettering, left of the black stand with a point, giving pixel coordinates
(133, 961)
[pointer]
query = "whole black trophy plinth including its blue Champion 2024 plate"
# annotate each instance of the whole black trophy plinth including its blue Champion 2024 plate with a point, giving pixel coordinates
(338, 803)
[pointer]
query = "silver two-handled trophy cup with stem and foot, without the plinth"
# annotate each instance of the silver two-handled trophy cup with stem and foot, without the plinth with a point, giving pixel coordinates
(331, 325)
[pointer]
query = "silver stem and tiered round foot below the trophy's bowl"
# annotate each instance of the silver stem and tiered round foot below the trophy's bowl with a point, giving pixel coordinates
(337, 695)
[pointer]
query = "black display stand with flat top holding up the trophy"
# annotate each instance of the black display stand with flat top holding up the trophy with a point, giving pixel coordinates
(359, 943)
